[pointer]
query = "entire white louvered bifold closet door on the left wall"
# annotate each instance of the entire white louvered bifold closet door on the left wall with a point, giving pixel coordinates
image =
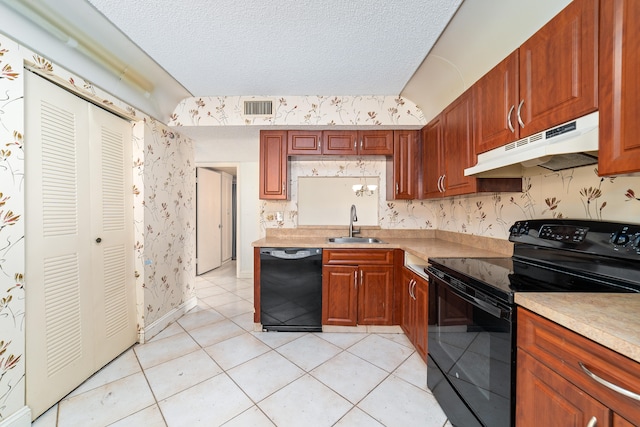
(80, 300)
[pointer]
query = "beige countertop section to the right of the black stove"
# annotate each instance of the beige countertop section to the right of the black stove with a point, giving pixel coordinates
(612, 320)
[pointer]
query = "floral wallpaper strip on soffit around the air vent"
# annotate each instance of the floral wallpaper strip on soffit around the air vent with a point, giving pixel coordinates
(300, 110)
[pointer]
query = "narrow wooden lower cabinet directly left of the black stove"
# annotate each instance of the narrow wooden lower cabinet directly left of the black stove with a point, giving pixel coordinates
(415, 310)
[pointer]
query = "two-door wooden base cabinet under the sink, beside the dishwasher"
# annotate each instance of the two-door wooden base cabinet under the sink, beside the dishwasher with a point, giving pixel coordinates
(357, 290)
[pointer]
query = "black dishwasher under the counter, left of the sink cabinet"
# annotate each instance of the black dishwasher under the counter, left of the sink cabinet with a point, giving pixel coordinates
(291, 289)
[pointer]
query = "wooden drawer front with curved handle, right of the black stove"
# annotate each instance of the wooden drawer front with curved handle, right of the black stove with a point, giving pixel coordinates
(564, 351)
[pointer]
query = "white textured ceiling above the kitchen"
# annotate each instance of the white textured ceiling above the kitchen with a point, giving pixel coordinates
(284, 47)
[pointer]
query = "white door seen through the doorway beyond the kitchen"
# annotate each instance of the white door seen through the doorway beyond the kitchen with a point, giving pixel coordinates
(208, 220)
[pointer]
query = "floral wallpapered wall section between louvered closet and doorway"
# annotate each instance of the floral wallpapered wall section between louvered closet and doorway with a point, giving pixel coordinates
(169, 220)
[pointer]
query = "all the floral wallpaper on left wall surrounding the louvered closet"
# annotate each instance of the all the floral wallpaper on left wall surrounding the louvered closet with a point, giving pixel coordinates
(164, 212)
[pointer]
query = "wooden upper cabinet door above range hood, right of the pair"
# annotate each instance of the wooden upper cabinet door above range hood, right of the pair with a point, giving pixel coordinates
(558, 68)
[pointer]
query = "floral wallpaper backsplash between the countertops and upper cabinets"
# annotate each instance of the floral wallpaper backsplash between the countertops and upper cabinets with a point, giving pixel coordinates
(574, 193)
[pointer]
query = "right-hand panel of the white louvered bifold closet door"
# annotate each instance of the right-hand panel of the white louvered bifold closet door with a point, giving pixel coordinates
(112, 277)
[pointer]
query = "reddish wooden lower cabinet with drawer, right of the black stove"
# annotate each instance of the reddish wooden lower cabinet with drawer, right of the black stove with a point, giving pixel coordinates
(552, 387)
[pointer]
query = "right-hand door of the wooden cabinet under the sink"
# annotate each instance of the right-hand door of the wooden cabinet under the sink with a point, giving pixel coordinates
(375, 295)
